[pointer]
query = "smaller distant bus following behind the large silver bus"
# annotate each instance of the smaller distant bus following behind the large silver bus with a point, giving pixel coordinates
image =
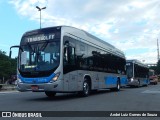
(137, 73)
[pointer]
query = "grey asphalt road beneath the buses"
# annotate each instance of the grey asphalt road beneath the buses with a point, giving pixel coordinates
(128, 99)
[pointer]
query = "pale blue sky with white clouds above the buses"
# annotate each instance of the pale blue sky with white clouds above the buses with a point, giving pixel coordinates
(130, 25)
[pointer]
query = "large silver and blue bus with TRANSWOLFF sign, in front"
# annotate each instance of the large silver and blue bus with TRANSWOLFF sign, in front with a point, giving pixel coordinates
(66, 59)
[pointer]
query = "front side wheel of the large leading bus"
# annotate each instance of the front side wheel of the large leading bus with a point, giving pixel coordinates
(86, 88)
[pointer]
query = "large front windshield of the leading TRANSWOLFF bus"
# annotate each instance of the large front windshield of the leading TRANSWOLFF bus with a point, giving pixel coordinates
(39, 56)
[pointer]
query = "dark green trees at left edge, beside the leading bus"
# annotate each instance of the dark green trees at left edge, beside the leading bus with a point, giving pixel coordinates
(7, 66)
